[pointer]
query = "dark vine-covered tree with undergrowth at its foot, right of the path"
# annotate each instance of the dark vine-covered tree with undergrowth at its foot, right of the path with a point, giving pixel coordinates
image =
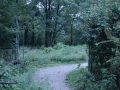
(103, 71)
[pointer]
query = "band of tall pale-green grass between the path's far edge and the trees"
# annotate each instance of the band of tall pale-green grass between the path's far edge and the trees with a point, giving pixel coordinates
(59, 53)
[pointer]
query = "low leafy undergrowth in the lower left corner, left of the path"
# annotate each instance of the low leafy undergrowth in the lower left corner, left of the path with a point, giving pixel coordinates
(23, 77)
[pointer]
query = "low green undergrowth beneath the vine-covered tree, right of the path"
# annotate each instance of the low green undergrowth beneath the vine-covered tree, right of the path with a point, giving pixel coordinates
(82, 79)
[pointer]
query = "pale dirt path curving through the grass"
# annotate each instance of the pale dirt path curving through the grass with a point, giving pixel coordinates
(56, 75)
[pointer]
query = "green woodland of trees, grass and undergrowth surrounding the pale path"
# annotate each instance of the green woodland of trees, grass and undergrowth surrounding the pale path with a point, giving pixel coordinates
(34, 33)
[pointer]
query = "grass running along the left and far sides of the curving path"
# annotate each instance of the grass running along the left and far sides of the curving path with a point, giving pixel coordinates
(42, 57)
